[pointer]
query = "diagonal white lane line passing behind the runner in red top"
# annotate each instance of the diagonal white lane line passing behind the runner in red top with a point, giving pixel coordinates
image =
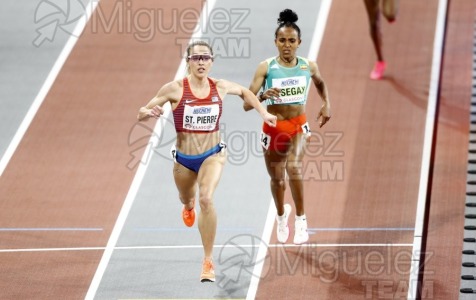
(139, 176)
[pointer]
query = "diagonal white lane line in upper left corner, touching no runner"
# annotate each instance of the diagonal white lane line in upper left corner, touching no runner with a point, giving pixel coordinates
(40, 97)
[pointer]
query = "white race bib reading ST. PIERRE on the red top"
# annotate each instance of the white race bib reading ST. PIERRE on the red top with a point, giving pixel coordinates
(201, 118)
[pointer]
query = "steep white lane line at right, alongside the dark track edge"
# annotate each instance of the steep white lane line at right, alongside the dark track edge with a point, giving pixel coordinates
(427, 148)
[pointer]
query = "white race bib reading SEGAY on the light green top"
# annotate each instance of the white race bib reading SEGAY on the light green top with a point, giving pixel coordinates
(293, 89)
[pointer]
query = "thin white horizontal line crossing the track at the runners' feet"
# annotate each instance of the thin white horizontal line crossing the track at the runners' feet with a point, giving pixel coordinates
(200, 246)
